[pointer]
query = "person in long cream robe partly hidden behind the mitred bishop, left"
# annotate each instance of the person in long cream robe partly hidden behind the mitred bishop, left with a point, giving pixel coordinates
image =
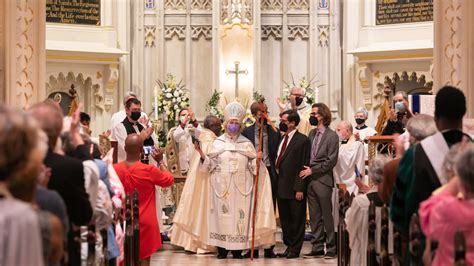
(190, 221)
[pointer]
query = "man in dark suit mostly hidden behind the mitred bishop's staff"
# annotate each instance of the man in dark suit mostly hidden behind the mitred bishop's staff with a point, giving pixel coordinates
(270, 141)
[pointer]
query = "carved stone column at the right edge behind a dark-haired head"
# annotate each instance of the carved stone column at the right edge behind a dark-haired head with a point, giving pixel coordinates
(454, 47)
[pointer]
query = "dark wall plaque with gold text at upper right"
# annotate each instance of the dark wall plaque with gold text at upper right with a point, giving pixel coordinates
(403, 11)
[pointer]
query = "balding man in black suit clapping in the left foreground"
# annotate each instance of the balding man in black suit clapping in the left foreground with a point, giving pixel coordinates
(67, 174)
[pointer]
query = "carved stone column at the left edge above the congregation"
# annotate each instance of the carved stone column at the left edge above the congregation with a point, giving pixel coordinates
(22, 52)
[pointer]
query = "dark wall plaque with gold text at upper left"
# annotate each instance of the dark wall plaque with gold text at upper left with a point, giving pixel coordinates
(85, 12)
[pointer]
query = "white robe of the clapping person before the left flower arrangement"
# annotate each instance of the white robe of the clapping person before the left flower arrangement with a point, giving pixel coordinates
(183, 139)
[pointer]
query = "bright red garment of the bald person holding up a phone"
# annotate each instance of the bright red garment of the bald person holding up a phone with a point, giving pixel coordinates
(144, 178)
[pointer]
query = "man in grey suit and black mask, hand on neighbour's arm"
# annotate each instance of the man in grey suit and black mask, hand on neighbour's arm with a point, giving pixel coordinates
(323, 158)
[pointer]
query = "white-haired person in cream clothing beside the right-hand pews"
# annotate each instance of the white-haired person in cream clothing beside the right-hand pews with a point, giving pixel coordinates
(357, 216)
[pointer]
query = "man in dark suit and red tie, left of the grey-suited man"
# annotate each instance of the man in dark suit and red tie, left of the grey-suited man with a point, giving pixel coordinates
(293, 155)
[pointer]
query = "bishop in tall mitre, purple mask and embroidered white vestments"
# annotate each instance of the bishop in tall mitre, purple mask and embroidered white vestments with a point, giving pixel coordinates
(231, 163)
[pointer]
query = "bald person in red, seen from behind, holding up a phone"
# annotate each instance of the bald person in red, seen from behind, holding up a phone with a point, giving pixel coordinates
(144, 177)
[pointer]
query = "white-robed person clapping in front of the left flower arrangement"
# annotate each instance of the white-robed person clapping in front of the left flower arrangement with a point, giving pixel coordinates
(187, 129)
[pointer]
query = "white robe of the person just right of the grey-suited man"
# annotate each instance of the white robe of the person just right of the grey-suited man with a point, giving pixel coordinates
(351, 154)
